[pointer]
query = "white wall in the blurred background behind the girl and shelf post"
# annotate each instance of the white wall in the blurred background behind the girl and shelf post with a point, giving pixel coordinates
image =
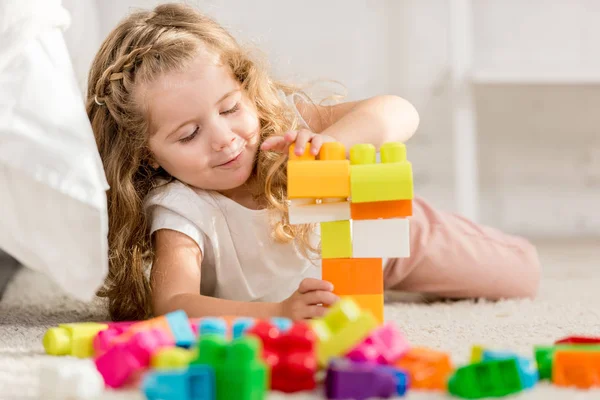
(539, 144)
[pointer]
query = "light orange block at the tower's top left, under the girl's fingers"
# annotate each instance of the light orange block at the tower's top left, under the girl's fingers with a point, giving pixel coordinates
(324, 178)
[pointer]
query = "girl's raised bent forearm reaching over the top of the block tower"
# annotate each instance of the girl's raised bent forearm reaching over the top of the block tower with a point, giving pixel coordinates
(376, 120)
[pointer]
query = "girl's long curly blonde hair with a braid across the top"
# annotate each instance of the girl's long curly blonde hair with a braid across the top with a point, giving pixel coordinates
(143, 46)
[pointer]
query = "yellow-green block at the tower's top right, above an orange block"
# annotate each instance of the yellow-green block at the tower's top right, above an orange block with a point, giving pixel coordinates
(392, 179)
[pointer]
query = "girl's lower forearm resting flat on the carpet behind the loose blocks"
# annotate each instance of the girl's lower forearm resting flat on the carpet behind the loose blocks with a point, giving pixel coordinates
(197, 306)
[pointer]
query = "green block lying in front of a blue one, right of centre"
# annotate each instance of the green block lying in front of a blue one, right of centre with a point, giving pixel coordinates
(485, 379)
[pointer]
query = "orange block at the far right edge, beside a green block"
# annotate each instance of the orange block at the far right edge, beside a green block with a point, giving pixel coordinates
(576, 368)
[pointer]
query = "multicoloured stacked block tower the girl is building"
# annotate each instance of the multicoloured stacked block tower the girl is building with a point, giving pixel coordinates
(362, 207)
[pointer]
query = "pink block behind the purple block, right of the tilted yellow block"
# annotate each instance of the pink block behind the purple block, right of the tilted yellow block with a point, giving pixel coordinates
(384, 345)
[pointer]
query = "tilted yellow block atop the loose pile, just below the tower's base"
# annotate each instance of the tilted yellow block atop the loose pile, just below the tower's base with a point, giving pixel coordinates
(343, 327)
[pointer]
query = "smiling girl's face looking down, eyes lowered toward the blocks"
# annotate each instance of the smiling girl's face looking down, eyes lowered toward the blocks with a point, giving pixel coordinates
(204, 131)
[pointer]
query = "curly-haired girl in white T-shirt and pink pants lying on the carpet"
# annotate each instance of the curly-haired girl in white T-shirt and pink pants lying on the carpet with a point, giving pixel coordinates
(194, 135)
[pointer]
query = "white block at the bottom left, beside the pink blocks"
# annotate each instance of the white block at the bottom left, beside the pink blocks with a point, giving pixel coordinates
(70, 379)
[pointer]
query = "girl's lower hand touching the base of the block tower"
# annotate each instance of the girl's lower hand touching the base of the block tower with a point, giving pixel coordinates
(307, 302)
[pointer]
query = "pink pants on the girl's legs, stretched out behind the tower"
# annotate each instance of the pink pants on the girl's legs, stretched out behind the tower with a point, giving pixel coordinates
(455, 258)
